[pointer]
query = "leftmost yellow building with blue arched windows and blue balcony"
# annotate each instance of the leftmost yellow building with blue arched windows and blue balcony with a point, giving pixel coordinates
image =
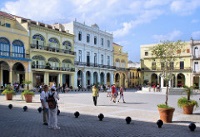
(14, 53)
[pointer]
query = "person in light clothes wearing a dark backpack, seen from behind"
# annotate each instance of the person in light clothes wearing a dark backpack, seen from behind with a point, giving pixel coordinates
(53, 97)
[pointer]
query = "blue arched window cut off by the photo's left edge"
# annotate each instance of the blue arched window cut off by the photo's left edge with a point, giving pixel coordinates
(4, 46)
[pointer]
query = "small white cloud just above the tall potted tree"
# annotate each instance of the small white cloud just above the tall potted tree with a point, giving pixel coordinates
(174, 35)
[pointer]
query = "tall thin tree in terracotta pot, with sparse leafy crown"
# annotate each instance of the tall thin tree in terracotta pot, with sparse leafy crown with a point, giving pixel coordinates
(166, 54)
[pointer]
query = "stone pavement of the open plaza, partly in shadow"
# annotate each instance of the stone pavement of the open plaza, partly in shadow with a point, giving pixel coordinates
(140, 107)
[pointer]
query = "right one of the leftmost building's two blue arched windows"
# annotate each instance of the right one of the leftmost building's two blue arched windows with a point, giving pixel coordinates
(18, 49)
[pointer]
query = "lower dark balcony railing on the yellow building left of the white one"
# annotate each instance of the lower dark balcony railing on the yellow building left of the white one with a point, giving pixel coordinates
(71, 69)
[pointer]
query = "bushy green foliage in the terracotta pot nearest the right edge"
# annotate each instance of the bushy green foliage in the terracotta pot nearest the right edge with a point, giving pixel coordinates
(185, 102)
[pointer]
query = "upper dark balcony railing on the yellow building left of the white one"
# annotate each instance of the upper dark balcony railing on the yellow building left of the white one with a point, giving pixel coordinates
(52, 49)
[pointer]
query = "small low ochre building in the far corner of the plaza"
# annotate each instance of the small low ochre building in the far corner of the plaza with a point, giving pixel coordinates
(134, 74)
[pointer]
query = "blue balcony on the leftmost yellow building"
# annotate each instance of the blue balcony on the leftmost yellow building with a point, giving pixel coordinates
(14, 55)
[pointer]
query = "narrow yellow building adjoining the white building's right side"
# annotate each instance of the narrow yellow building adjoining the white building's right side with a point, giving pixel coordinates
(120, 60)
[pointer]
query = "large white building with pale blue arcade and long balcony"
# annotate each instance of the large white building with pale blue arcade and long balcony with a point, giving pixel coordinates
(94, 54)
